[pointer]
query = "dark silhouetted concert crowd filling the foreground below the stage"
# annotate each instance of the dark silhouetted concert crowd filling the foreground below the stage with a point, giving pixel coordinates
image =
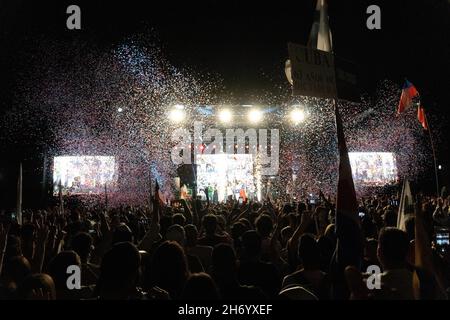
(197, 250)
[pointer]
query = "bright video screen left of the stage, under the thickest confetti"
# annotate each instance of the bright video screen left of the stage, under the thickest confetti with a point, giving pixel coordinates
(84, 174)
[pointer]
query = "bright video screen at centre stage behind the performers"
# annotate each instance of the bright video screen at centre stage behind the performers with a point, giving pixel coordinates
(226, 175)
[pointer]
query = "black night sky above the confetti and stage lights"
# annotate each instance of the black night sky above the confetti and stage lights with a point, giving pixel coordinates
(245, 42)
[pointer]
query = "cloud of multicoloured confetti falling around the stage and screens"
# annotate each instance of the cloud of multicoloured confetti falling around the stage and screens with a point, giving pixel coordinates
(115, 102)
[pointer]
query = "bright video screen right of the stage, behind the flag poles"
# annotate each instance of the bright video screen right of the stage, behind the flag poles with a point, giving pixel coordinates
(373, 168)
